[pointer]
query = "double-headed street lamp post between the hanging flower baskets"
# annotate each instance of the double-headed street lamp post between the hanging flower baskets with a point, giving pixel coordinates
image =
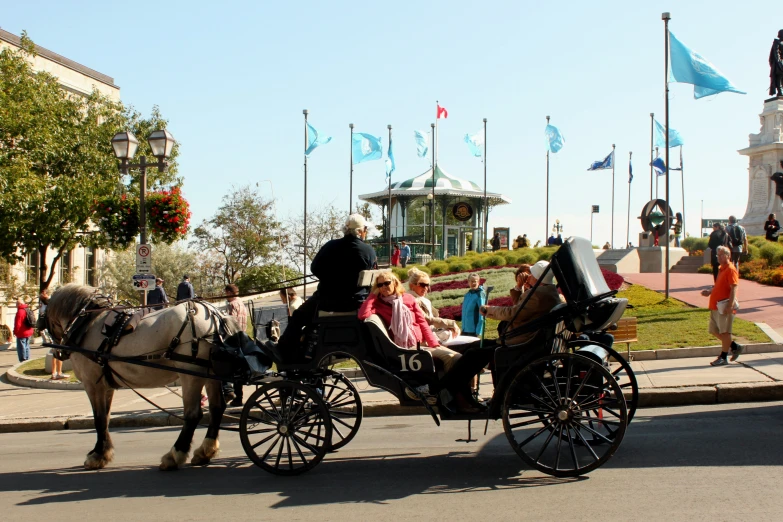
(125, 145)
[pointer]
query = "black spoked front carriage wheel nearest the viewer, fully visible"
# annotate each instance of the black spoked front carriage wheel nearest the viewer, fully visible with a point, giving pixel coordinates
(285, 428)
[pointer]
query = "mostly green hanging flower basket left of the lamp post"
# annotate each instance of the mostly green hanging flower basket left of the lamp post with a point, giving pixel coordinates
(117, 217)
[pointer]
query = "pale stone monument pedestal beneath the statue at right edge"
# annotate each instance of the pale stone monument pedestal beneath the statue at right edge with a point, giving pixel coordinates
(764, 153)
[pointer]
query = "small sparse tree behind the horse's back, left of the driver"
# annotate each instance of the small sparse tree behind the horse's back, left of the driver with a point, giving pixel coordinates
(243, 232)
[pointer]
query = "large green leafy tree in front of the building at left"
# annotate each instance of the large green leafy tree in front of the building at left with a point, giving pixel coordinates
(56, 160)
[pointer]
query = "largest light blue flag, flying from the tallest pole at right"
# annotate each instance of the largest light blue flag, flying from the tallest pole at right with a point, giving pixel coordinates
(688, 66)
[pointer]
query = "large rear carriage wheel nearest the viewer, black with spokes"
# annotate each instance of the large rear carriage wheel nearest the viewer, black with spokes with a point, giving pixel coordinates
(578, 402)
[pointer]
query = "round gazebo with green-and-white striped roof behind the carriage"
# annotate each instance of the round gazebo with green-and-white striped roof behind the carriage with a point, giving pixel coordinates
(453, 216)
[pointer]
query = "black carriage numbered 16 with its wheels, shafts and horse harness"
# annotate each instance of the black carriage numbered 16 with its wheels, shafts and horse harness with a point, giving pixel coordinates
(565, 401)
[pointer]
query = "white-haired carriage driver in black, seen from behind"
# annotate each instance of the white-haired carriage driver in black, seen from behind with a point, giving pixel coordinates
(337, 266)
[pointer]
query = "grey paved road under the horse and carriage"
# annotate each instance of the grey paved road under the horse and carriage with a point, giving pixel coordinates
(694, 463)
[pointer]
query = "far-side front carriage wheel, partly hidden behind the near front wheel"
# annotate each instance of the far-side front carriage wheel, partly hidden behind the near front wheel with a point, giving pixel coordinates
(344, 404)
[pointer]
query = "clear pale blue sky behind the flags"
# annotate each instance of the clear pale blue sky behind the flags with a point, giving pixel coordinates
(233, 79)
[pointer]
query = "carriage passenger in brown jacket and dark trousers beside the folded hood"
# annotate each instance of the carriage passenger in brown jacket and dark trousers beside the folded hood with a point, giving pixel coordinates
(540, 303)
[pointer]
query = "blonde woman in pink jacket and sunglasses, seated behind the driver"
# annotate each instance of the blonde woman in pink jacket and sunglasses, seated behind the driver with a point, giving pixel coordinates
(403, 318)
